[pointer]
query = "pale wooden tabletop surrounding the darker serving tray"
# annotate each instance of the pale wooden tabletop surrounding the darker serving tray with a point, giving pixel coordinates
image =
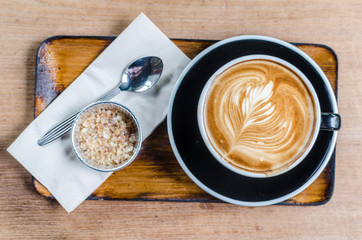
(26, 214)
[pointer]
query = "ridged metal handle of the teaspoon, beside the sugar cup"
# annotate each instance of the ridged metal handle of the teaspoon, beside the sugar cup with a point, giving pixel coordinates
(64, 126)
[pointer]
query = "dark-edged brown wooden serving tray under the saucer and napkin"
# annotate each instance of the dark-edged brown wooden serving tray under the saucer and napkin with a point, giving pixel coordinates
(155, 174)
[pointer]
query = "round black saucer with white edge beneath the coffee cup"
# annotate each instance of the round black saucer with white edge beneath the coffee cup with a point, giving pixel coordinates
(194, 156)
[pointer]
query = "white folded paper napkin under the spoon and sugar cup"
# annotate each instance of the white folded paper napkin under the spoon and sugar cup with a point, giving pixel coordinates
(55, 165)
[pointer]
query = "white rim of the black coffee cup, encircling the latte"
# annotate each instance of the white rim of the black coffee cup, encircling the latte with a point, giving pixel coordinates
(201, 105)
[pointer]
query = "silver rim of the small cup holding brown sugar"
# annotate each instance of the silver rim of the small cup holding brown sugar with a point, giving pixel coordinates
(139, 131)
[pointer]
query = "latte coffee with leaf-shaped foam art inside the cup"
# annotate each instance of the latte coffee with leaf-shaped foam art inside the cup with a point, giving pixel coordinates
(259, 116)
